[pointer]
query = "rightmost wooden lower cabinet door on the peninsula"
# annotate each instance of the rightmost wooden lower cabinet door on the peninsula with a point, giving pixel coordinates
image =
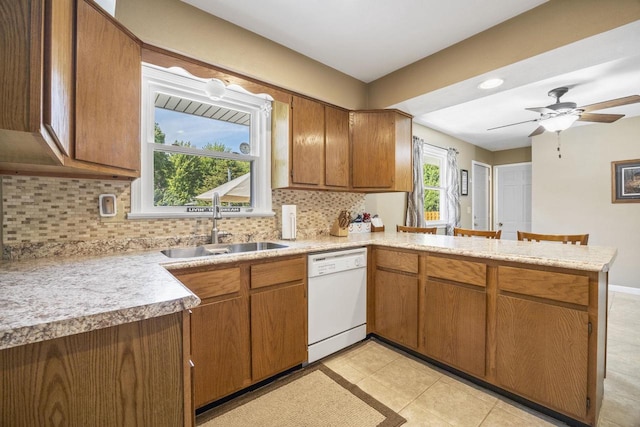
(542, 353)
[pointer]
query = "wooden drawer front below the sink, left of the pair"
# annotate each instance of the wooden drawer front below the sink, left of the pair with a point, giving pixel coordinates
(209, 284)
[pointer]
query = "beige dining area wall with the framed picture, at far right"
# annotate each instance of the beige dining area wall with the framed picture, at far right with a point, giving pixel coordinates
(573, 194)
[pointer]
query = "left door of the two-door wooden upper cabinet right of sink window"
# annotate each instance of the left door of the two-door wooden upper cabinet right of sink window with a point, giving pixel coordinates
(307, 148)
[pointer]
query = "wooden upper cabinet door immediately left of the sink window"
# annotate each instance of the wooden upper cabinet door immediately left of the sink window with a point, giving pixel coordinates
(107, 92)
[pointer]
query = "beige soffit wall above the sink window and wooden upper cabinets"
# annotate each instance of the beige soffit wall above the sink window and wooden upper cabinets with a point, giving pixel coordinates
(177, 26)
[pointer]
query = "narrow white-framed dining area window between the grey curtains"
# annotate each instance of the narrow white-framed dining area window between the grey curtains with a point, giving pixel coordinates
(434, 172)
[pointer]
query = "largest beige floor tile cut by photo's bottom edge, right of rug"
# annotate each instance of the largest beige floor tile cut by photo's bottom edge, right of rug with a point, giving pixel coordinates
(453, 405)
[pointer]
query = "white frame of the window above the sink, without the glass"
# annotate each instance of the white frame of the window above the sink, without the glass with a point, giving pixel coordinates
(178, 82)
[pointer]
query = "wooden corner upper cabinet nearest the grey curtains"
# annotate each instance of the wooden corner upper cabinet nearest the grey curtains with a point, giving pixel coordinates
(381, 151)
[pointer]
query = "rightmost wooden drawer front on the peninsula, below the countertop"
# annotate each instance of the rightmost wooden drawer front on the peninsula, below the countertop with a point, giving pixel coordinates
(545, 284)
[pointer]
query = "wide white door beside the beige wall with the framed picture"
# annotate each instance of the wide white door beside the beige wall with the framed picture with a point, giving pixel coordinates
(512, 199)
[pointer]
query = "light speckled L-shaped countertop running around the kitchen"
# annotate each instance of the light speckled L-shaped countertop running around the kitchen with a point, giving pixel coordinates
(50, 298)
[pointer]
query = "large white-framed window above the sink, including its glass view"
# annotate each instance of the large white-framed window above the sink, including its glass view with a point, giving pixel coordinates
(195, 144)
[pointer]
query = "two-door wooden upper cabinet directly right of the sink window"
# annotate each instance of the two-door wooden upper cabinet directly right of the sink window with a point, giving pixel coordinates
(310, 147)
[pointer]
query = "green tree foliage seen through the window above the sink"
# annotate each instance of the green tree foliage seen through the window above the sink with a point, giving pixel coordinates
(179, 178)
